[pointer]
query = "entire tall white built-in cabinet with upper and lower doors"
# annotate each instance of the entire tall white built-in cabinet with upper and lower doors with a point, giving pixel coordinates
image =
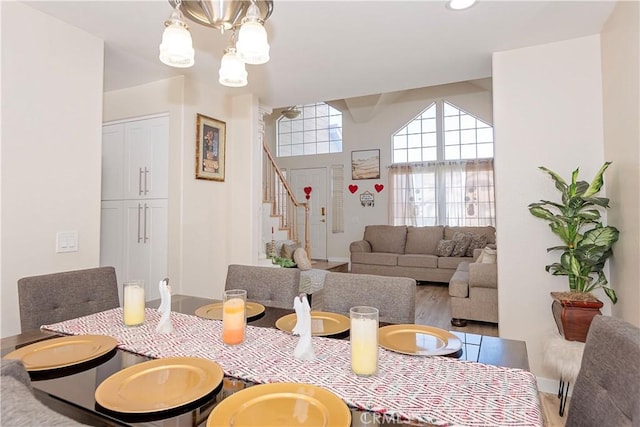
(134, 225)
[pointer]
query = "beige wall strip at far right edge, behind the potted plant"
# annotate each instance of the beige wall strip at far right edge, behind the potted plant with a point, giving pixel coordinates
(621, 80)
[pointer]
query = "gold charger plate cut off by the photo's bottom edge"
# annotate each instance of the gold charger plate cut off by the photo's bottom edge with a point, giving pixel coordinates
(281, 404)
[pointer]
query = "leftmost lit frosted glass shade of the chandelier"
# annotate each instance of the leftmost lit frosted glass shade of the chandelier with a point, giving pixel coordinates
(176, 49)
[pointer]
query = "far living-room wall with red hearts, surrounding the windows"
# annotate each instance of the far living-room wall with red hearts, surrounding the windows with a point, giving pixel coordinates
(391, 114)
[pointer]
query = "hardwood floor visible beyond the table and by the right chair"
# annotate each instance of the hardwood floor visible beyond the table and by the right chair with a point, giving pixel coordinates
(432, 309)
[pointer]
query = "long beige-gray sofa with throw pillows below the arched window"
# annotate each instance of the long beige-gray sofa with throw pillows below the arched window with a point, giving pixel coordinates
(416, 252)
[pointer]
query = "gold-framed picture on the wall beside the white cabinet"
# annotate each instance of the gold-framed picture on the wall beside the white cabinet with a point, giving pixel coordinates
(211, 140)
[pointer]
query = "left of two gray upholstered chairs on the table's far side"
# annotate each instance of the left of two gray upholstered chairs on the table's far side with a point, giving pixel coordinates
(273, 287)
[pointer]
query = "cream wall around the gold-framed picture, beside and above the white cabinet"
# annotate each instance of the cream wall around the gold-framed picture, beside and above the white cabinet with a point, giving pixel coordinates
(211, 223)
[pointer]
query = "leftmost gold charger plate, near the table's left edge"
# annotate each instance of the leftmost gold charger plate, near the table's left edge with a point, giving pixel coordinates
(63, 352)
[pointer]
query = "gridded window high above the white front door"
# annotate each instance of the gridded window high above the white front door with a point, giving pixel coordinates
(317, 130)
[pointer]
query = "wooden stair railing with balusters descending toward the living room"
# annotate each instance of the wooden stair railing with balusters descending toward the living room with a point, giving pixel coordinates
(278, 193)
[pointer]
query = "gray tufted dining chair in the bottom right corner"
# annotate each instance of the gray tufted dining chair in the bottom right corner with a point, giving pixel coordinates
(607, 389)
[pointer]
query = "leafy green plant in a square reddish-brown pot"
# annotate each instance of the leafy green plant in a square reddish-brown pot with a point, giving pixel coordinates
(587, 246)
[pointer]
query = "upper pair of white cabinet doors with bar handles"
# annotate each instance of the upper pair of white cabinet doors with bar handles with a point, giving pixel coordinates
(135, 159)
